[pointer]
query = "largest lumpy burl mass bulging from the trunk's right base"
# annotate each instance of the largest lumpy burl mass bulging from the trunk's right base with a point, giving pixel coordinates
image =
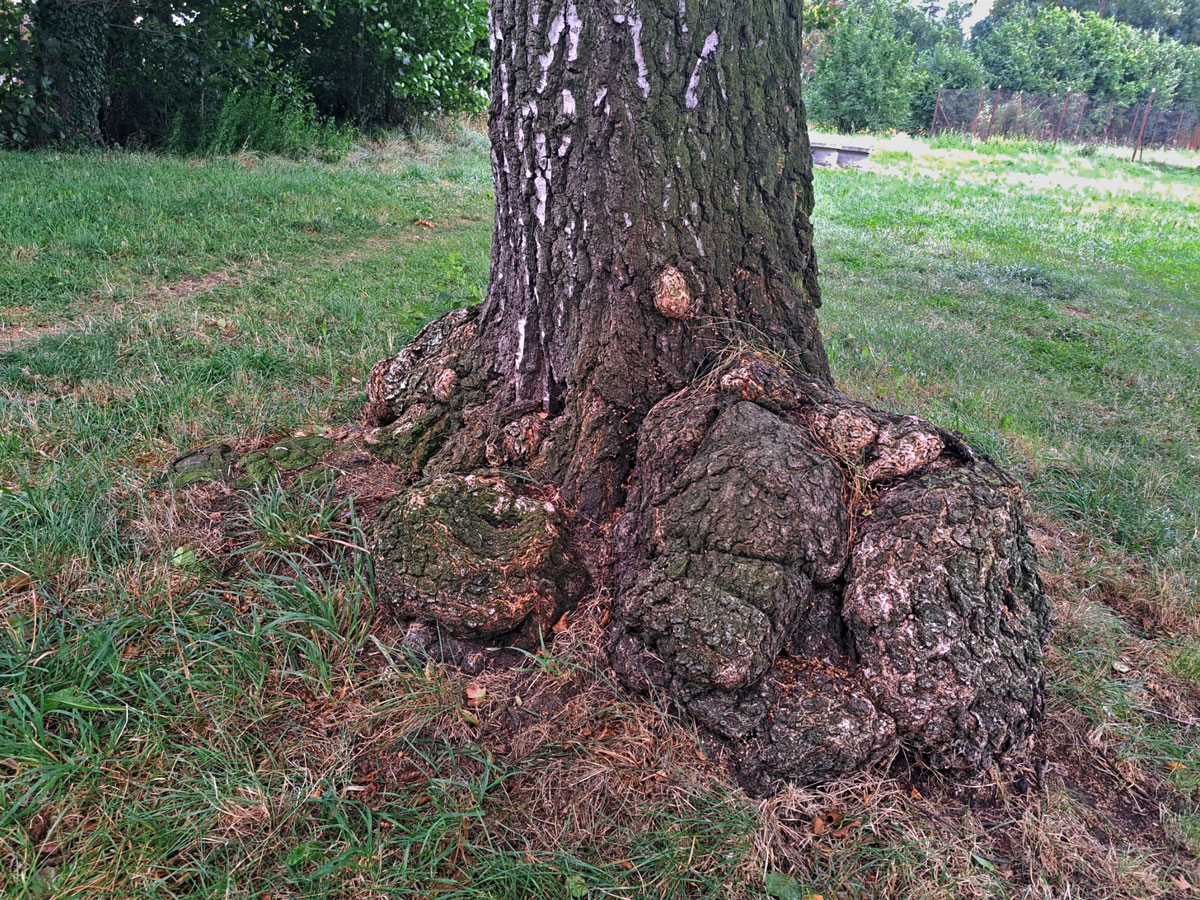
(824, 584)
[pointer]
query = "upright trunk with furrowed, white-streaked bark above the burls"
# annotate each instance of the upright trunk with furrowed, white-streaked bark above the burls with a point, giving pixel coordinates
(653, 190)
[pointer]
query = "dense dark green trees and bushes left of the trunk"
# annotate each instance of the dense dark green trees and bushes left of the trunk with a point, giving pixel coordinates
(185, 74)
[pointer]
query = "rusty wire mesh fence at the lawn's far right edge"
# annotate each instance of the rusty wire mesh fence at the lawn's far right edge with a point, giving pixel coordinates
(1067, 118)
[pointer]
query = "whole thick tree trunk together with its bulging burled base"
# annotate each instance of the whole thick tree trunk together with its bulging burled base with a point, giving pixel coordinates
(644, 403)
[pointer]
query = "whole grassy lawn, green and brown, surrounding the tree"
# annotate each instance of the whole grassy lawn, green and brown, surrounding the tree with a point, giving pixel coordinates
(182, 721)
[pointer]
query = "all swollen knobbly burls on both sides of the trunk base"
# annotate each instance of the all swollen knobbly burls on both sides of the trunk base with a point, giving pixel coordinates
(819, 584)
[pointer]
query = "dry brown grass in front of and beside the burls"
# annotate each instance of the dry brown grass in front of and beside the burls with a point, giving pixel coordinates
(580, 767)
